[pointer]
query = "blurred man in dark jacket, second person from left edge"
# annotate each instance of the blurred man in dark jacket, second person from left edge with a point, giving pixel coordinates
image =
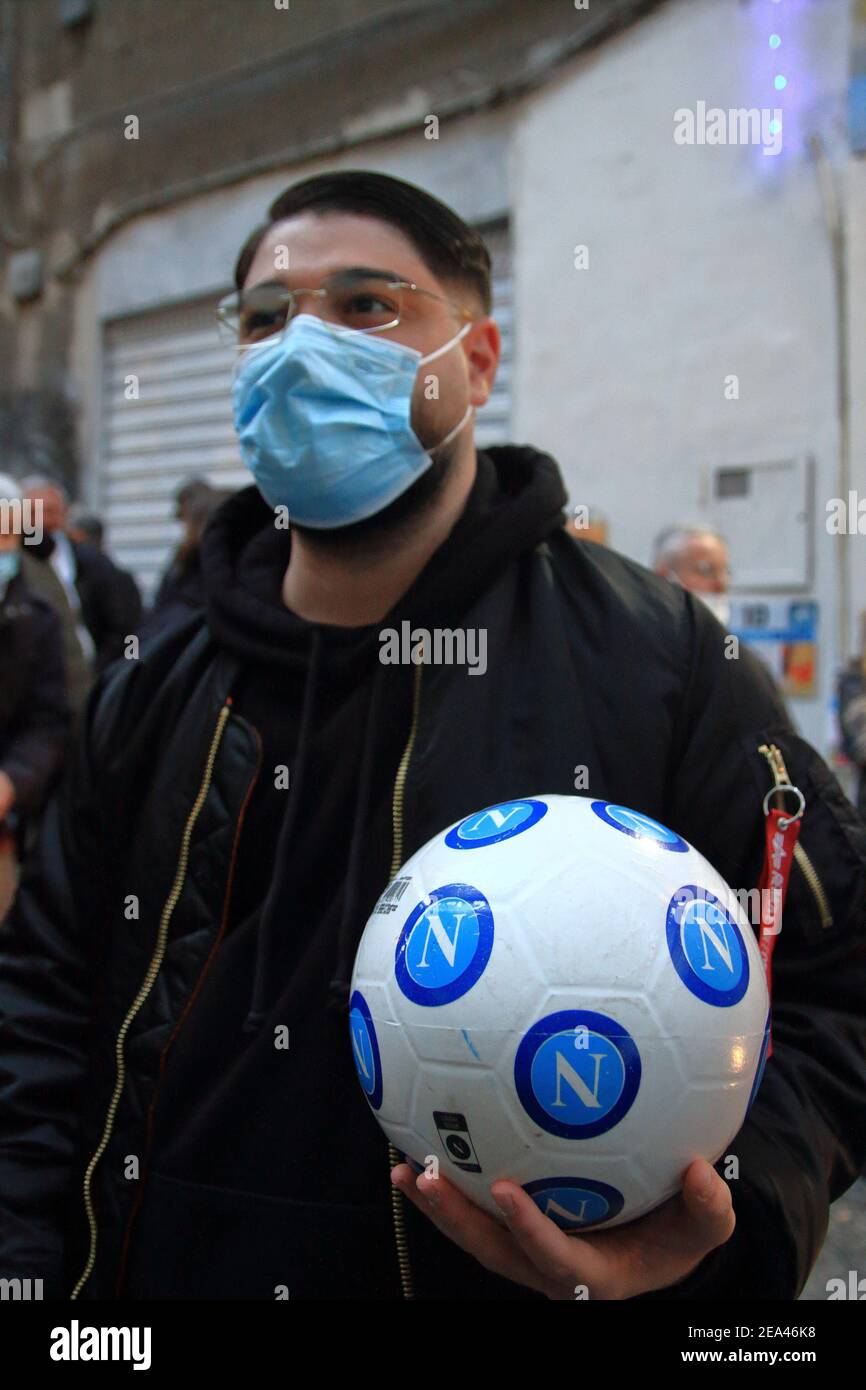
(105, 600)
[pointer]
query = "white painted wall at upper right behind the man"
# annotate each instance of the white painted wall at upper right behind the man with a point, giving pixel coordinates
(704, 261)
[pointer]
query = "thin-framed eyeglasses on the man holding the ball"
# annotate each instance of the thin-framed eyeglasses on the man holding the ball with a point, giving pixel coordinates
(350, 300)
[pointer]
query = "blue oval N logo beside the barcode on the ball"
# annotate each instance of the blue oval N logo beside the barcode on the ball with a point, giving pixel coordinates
(446, 945)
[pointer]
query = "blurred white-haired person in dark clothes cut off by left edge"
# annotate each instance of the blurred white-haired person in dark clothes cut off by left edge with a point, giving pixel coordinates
(34, 707)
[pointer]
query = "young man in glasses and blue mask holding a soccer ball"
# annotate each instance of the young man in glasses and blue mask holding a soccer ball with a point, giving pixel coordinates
(245, 792)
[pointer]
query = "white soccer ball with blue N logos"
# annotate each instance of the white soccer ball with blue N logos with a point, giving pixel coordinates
(565, 993)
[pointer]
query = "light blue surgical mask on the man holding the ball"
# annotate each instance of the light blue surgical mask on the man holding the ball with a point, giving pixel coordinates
(323, 416)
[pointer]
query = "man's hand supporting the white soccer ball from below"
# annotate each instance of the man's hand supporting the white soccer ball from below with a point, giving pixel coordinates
(651, 1253)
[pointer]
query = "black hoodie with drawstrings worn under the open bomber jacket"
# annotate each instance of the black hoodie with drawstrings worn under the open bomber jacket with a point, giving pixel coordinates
(261, 1110)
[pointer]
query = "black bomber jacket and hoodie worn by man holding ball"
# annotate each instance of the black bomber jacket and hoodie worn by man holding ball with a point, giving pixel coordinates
(241, 797)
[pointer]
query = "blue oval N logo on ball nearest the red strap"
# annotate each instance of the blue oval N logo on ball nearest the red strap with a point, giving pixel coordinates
(707, 947)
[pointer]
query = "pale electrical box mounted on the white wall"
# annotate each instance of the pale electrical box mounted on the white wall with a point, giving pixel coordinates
(764, 511)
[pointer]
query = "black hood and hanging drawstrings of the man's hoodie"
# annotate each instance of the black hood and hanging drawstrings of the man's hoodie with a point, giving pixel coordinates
(516, 501)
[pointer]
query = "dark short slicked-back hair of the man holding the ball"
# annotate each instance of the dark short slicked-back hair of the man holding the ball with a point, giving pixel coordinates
(447, 245)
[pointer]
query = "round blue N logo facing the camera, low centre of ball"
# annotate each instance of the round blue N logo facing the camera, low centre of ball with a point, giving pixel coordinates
(578, 1074)
